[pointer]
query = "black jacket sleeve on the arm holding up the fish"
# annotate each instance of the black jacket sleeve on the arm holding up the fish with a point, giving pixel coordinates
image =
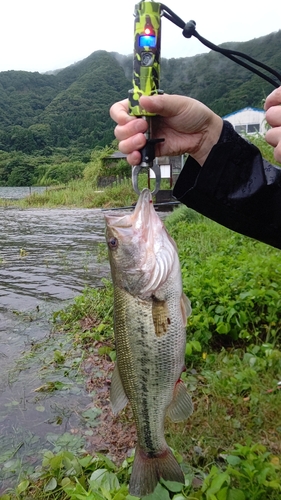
(235, 187)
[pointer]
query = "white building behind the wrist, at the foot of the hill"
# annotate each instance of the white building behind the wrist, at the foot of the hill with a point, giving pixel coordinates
(248, 121)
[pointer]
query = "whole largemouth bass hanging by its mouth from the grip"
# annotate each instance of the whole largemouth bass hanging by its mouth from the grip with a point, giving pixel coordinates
(150, 314)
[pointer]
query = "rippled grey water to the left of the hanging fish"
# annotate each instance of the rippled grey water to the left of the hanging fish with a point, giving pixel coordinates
(47, 257)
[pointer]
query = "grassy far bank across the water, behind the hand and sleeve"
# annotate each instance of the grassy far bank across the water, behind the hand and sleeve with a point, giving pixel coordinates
(84, 192)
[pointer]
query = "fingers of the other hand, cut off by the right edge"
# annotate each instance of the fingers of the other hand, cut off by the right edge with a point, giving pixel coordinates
(273, 117)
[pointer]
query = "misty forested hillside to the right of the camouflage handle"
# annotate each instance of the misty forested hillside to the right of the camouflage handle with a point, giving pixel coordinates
(217, 81)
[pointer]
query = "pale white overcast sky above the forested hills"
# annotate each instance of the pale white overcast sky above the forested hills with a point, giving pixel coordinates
(43, 35)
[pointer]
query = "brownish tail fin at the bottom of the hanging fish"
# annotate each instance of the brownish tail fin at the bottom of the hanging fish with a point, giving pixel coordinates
(147, 471)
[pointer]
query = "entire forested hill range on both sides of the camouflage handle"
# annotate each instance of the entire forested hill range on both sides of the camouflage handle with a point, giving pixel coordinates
(70, 107)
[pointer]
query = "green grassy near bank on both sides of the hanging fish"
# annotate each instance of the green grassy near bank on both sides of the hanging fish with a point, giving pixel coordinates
(230, 448)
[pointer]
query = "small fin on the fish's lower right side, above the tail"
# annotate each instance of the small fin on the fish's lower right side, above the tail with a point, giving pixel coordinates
(181, 406)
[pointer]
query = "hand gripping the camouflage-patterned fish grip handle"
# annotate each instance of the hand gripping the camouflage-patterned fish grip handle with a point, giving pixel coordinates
(187, 126)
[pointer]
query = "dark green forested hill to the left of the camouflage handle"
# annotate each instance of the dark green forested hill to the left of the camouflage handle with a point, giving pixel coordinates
(69, 108)
